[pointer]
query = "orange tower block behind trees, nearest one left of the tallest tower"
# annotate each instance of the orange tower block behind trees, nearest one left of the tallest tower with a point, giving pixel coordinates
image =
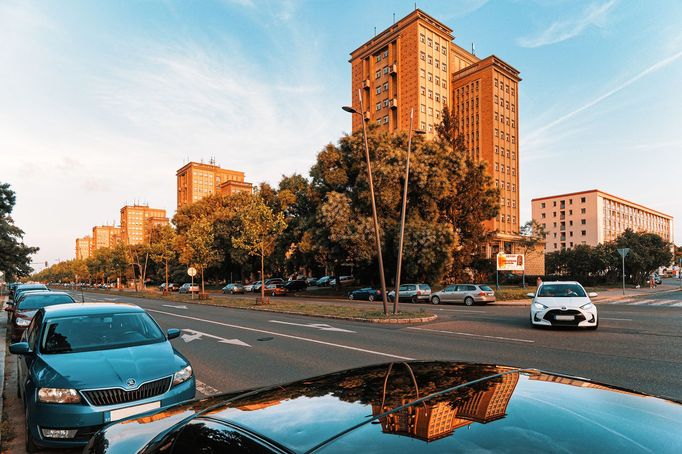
(198, 180)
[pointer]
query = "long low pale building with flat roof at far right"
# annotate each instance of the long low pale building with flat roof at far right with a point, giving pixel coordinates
(594, 217)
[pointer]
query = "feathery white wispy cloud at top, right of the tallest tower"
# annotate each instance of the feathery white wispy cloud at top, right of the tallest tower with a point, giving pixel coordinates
(594, 15)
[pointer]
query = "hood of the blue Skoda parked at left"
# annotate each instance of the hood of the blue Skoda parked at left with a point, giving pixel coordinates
(108, 368)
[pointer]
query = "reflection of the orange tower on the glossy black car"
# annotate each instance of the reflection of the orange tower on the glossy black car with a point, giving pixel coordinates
(431, 421)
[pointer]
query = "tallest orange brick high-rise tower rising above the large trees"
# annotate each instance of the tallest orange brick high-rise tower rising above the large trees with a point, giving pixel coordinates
(414, 65)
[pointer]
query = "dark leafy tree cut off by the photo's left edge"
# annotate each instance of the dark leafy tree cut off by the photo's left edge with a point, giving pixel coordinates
(15, 256)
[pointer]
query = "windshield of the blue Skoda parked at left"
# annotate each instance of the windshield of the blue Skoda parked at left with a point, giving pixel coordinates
(99, 332)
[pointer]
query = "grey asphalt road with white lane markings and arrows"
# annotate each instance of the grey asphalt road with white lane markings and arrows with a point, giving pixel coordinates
(636, 346)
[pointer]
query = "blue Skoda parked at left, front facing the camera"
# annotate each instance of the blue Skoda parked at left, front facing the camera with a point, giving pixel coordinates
(84, 365)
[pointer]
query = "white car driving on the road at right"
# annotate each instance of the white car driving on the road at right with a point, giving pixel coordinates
(563, 304)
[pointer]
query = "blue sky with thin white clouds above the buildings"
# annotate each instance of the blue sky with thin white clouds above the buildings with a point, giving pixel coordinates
(101, 102)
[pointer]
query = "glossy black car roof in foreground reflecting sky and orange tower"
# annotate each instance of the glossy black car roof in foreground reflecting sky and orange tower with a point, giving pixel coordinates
(426, 407)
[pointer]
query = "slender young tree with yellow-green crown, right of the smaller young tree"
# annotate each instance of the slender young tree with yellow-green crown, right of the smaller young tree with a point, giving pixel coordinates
(258, 230)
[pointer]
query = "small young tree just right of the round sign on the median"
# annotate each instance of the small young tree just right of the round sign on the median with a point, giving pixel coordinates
(197, 246)
